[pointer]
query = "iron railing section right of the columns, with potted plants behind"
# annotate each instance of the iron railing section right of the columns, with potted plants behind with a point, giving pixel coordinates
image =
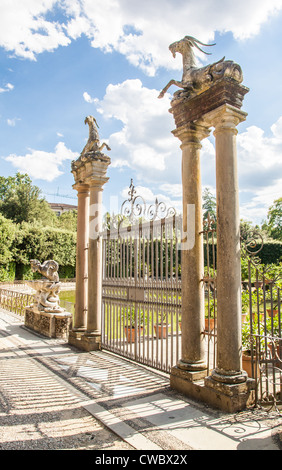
(261, 322)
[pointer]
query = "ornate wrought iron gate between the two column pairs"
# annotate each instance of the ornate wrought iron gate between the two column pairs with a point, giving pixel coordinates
(141, 284)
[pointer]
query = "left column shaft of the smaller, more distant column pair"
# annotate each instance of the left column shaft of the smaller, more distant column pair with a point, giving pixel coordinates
(80, 317)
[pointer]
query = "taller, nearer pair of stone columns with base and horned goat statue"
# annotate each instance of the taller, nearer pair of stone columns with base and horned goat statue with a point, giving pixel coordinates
(211, 96)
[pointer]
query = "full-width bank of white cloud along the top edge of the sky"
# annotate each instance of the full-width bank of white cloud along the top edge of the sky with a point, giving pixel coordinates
(141, 31)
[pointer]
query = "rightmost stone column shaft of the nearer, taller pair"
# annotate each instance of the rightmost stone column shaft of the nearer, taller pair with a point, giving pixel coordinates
(229, 341)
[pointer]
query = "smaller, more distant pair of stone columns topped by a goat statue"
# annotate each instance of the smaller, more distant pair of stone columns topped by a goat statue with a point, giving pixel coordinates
(90, 174)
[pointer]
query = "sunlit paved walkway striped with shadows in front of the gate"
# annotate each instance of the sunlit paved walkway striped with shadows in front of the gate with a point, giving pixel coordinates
(53, 396)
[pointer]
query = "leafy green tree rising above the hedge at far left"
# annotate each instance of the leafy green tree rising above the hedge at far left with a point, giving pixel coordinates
(20, 201)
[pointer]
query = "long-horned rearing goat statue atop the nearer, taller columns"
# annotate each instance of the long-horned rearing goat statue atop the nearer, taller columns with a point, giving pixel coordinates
(196, 80)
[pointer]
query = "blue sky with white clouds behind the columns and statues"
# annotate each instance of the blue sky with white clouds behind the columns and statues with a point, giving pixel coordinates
(63, 60)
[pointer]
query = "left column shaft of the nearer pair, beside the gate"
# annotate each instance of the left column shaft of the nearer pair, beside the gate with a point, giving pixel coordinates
(192, 263)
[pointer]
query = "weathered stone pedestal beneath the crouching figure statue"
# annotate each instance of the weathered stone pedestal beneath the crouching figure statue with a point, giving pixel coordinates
(51, 325)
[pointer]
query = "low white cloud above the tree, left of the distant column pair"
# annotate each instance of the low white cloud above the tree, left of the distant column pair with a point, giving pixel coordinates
(43, 165)
